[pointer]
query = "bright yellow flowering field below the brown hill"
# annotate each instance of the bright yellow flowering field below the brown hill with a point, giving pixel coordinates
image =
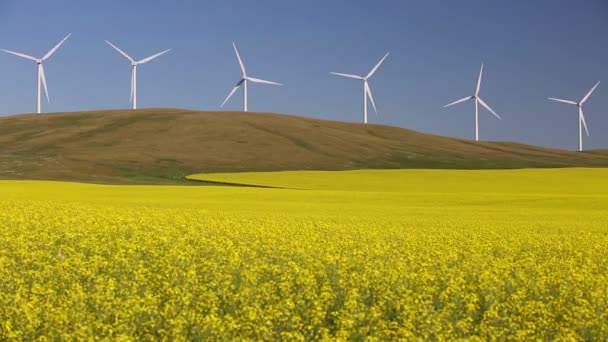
(357, 255)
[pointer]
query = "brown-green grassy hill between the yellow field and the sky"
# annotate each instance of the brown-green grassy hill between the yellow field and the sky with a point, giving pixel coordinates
(161, 146)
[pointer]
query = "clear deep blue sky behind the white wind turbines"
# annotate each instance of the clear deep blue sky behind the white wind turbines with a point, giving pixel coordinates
(532, 50)
